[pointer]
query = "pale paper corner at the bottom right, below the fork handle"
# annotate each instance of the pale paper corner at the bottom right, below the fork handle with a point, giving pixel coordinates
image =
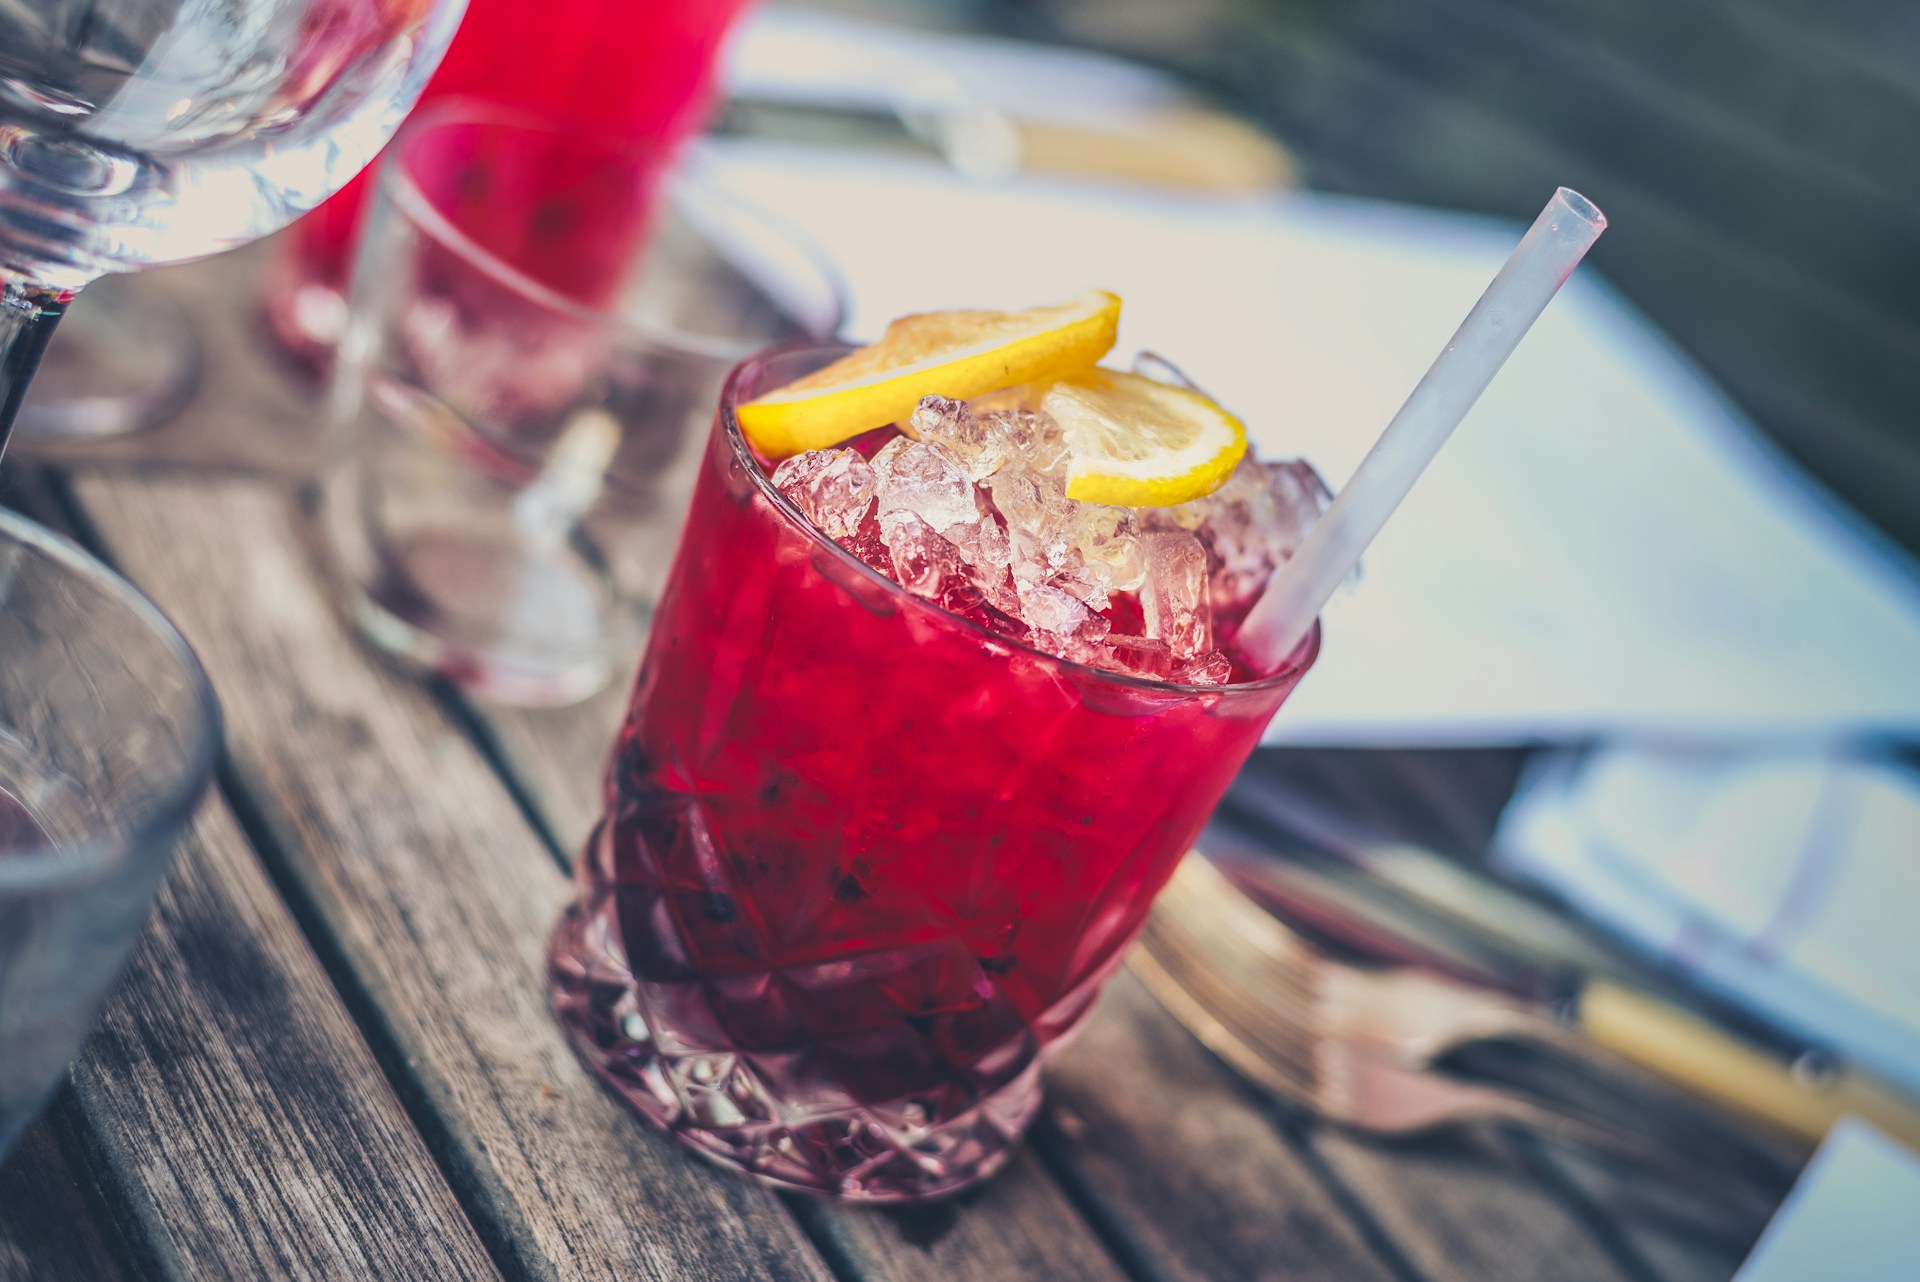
(1850, 1216)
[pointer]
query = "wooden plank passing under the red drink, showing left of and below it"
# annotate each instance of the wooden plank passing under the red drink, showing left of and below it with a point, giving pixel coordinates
(1017, 1227)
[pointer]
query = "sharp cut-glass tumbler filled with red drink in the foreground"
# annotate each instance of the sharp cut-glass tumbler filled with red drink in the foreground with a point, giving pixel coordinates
(863, 863)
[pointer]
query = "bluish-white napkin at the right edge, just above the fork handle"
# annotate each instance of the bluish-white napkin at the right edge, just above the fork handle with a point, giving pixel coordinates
(1785, 882)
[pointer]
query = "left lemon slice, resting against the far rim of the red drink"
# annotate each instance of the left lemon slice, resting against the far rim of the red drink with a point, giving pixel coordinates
(957, 354)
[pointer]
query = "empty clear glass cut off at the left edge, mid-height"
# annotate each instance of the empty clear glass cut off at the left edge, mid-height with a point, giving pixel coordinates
(108, 736)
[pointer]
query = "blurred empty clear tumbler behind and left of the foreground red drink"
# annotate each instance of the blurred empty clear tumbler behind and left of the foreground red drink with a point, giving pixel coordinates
(540, 325)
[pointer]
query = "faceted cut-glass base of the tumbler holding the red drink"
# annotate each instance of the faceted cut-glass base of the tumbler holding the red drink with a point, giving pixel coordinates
(727, 1106)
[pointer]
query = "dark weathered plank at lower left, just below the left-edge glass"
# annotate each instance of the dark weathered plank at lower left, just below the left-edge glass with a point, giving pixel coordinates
(274, 1147)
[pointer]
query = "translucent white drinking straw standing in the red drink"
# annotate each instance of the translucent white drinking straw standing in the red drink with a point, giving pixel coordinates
(1525, 285)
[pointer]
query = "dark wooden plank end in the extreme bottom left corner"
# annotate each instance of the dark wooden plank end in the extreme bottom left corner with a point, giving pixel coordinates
(47, 1227)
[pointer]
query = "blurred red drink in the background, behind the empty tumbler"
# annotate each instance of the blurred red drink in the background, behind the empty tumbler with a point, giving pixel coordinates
(610, 68)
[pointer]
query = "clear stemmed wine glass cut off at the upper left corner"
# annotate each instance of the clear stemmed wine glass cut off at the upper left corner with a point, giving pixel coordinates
(137, 133)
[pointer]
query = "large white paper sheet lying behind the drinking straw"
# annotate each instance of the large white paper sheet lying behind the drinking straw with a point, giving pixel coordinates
(1604, 548)
